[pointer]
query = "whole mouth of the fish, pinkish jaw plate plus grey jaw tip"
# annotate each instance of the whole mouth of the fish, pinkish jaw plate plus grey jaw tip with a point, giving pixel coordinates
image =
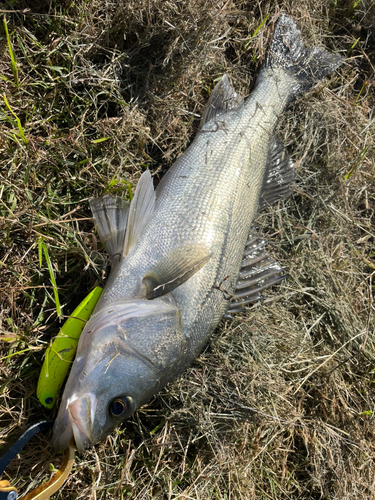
(79, 413)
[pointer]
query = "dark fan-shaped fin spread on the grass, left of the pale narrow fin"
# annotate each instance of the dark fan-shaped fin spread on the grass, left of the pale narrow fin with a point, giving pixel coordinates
(111, 216)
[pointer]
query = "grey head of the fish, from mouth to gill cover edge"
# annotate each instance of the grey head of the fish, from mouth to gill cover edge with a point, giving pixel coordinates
(124, 356)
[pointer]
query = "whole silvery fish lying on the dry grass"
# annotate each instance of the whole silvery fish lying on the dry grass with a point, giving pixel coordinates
(187, 253)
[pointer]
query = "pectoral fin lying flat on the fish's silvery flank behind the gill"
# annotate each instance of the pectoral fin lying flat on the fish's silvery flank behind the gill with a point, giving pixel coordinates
(175, 268)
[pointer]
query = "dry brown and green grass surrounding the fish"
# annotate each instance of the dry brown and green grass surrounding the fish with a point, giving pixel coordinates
(281, 402)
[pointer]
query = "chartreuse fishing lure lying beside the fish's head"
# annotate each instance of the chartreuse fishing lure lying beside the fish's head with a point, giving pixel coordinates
(60, 354)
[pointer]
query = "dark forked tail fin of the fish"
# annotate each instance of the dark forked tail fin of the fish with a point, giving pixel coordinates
(307, 65)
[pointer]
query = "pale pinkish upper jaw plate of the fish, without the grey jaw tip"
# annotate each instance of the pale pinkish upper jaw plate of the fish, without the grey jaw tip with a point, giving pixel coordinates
(81, 417)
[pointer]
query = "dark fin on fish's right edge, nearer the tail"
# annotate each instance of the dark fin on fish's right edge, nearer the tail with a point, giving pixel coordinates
(278, 183)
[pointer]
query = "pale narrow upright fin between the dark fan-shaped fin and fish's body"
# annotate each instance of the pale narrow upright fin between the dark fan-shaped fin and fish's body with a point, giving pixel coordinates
(141, 207)
